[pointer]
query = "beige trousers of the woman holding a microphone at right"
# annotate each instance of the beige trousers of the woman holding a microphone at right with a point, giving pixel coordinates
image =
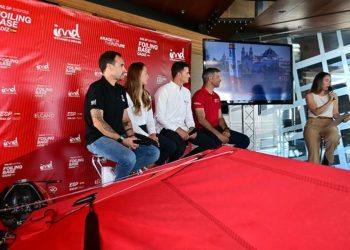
(315, 129)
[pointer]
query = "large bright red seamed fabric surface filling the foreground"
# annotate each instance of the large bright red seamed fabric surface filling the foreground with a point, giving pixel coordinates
(239, 200)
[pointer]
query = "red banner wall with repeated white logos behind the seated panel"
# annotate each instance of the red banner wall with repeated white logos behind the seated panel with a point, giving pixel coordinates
(48, 58)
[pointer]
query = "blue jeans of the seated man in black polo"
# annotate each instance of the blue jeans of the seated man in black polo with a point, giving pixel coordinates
(127, 160)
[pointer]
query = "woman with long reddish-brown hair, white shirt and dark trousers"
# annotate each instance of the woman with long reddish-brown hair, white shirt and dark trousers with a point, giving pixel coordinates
(140, 110)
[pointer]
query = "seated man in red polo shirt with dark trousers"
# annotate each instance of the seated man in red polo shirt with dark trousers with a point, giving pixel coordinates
(209, 120)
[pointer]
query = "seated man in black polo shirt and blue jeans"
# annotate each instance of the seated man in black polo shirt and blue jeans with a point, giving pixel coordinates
(108, 127)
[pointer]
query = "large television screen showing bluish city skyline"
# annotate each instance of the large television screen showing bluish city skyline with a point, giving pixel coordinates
(251, 73)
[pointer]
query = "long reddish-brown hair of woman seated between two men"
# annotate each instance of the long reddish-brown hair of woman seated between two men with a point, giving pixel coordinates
(135, 88)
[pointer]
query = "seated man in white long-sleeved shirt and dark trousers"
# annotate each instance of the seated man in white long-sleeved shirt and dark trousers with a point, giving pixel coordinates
(173, 111)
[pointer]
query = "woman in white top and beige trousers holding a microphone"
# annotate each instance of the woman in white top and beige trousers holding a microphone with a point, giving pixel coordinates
(322, 108)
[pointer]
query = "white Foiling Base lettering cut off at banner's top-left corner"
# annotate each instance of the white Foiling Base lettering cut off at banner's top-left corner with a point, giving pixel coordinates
(10, 20)
